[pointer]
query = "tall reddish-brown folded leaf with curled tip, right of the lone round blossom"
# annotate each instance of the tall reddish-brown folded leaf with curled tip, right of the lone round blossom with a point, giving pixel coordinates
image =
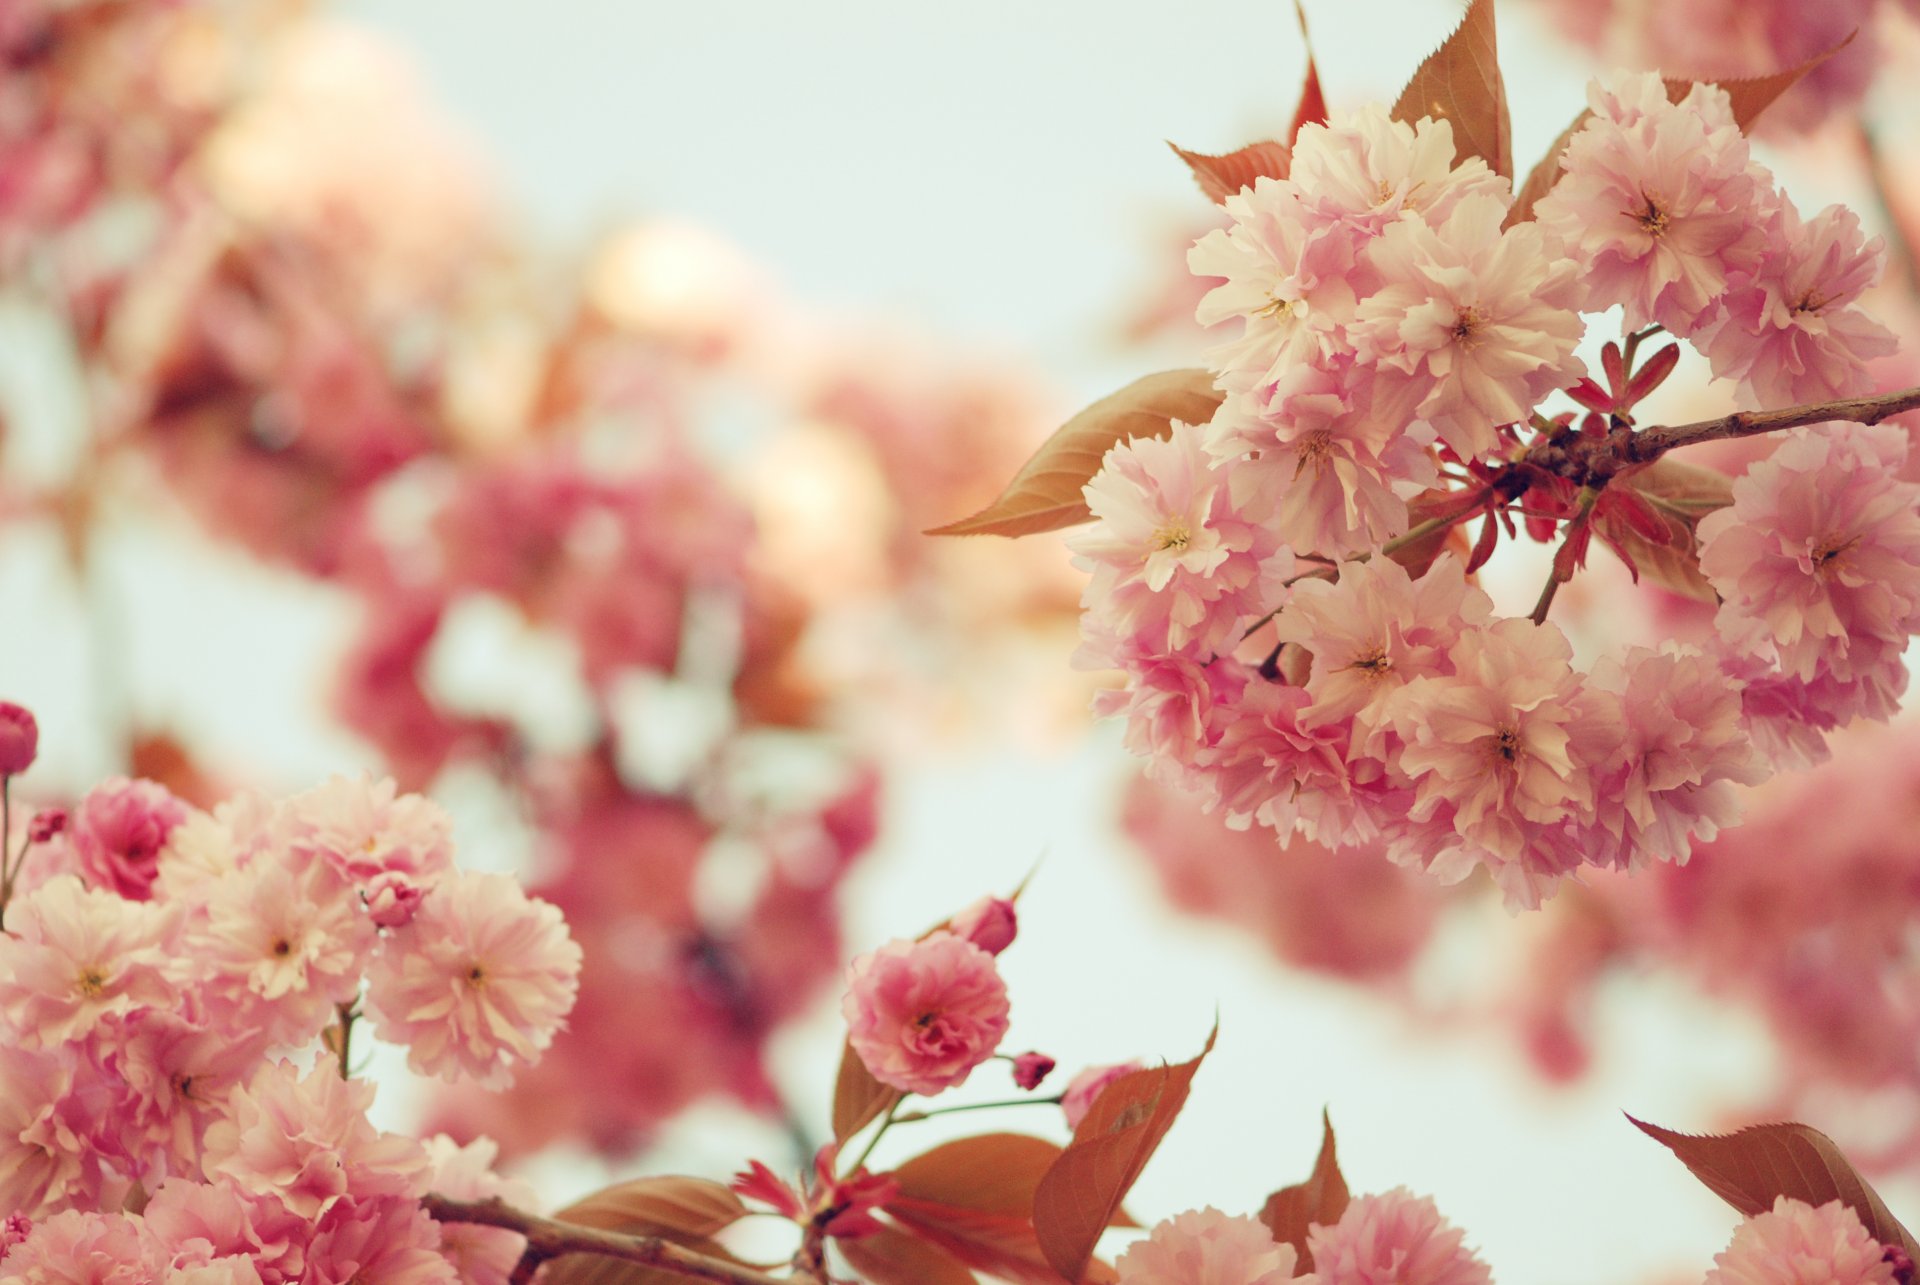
(1116, 1138)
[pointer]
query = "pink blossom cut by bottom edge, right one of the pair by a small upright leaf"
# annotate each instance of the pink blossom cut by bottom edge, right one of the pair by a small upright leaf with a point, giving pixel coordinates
(1393, 1240)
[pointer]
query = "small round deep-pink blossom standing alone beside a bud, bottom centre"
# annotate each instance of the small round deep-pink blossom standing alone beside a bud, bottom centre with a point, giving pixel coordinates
(923, 1015)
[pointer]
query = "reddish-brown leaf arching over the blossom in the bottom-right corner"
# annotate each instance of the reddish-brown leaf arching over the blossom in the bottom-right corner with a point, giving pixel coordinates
(1754, 1167)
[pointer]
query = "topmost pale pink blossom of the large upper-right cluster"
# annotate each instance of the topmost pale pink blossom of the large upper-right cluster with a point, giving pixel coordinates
(1660, 205)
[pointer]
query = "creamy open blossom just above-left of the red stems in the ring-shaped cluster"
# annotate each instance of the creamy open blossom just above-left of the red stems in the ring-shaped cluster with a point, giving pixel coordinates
(1483, 322)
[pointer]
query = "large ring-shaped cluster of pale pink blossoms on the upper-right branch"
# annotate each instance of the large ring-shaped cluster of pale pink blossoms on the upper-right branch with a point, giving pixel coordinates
(1299, 656)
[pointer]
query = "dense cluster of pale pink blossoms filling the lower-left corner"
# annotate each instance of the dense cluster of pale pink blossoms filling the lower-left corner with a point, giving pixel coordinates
(178, 1000)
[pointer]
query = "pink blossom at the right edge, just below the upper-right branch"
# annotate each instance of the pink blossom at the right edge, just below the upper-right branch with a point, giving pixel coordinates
(1819, 552)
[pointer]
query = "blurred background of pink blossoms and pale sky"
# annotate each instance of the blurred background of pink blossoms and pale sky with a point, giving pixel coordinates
(542, 402)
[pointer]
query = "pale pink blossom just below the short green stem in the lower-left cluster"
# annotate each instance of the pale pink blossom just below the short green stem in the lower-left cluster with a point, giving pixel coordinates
(306, 1142)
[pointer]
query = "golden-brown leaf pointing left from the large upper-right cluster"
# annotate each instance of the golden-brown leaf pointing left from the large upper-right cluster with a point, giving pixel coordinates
(1047, 491)
